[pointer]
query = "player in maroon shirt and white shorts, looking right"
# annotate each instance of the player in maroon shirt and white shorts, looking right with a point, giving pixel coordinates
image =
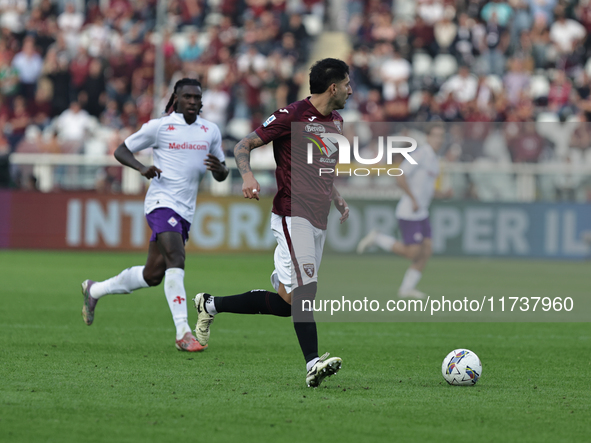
(300, 212)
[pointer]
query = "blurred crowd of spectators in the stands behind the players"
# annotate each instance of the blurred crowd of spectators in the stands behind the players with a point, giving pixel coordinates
(77, 76)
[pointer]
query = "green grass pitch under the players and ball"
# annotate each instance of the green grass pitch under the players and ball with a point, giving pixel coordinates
(122, 380)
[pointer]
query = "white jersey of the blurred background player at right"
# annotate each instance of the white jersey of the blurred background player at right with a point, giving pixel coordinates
(421, 182)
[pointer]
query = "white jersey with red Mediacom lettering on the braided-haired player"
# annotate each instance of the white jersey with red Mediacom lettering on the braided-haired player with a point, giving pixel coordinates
(179, 151)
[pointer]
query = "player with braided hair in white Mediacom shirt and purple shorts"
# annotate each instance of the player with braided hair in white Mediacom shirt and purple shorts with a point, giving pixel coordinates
(185, 146)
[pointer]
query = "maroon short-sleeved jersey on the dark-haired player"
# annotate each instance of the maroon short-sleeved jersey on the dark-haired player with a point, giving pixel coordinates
(301, 191)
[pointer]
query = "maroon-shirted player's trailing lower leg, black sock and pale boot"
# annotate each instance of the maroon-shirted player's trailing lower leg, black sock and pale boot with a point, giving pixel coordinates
(257, 301)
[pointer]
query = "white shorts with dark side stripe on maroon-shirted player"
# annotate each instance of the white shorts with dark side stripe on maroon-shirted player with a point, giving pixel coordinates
(300, 243)
